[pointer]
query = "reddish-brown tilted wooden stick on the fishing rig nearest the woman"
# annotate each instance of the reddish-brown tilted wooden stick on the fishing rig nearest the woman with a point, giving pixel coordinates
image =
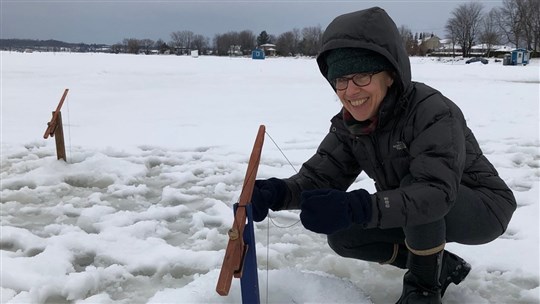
(236, 249)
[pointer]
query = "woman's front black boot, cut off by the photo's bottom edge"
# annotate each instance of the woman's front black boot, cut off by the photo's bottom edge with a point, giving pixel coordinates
(421, 283)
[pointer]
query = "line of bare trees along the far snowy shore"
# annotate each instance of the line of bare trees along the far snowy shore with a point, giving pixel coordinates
(516, 22)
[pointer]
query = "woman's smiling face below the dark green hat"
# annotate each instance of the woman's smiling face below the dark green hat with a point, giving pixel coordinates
(363, 102)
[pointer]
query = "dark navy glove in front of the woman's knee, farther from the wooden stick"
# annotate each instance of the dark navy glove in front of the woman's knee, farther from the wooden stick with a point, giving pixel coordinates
(329, 210)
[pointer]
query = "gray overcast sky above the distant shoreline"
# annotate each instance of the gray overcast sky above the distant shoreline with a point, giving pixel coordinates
(97, 21)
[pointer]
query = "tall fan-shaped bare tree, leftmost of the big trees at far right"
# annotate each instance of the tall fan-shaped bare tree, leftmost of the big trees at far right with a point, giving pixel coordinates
(465, 25)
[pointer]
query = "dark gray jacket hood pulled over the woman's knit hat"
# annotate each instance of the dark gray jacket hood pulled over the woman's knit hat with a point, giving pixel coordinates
(370, 29)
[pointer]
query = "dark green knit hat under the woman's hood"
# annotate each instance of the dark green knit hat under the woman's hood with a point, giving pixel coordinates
(346, 61)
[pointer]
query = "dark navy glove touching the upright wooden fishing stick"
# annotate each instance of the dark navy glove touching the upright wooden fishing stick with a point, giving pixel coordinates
(267, 194)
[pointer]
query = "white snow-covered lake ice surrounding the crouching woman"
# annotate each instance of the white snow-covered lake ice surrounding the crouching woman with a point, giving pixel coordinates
(157, 149)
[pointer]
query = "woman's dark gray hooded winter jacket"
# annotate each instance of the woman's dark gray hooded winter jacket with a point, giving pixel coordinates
(420, 134)
